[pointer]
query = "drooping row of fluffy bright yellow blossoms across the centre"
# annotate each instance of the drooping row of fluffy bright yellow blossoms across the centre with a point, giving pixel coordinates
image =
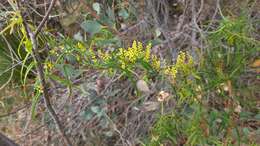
(137, 52)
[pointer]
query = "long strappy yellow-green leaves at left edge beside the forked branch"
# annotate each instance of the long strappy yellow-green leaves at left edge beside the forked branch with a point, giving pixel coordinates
(16, 63)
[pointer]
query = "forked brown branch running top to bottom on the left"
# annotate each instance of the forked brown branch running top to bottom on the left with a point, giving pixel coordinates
(39, 68)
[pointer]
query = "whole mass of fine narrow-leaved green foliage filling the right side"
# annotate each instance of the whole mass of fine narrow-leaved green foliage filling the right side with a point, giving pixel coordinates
(210, 121)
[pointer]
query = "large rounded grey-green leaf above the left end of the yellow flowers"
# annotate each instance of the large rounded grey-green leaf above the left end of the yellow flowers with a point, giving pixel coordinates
(91, 26)
